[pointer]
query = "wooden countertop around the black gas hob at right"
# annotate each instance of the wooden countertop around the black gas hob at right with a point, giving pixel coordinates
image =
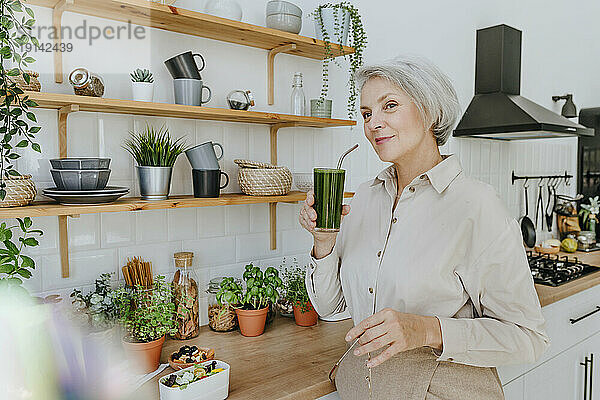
(549, 294)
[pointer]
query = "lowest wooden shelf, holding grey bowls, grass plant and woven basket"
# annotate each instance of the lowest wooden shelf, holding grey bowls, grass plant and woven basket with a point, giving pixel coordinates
(43, 209)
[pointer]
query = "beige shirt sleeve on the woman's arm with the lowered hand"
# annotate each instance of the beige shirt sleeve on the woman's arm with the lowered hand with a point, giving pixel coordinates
(511, 329)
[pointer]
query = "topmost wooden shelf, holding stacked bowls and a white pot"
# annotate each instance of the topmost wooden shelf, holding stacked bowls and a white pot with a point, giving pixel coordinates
(174, 19)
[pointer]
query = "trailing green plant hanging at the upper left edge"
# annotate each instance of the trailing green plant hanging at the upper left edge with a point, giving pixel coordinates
(16, 24)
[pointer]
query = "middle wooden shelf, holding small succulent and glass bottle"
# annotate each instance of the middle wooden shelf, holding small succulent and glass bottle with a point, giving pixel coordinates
(116, 106)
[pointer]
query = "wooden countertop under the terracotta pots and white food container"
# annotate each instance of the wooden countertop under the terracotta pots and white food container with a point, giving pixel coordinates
(286, 362)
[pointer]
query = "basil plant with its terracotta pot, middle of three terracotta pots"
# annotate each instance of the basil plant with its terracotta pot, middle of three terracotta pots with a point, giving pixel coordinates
(252, 303)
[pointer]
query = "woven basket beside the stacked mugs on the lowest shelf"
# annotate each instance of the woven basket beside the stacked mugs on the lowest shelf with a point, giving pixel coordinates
(261, 179)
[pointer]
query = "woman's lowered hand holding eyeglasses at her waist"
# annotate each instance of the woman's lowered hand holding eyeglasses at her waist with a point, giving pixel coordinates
(397, 331)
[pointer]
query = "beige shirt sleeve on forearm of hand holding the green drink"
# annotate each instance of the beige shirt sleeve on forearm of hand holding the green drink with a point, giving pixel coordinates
(323, 284)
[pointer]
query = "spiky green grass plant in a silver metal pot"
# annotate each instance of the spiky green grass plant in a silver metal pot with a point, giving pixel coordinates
(155, 153)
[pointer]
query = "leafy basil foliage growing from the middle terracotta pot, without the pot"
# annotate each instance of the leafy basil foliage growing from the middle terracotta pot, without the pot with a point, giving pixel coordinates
(262, 289)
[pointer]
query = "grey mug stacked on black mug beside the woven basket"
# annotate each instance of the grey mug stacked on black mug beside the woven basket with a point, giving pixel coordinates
(206, 173)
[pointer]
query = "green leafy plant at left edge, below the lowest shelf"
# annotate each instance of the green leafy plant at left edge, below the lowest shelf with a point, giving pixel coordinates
(14, 265)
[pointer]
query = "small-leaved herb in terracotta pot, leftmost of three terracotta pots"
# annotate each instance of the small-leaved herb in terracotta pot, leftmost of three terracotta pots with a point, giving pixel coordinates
(147, 315)
